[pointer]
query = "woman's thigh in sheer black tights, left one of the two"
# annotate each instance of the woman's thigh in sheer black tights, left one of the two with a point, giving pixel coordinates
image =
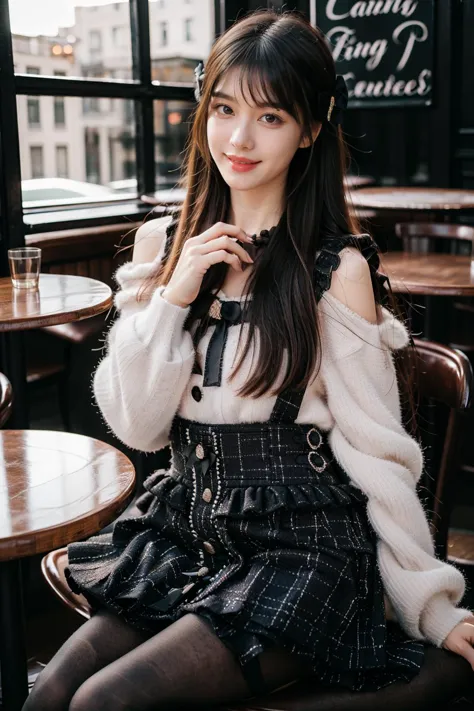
(98, 642)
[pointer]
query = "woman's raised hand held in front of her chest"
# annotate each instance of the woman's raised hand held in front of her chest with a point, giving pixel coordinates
(216, 244)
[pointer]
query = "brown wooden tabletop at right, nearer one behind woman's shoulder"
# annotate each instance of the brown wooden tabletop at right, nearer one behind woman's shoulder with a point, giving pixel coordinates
(429, 274)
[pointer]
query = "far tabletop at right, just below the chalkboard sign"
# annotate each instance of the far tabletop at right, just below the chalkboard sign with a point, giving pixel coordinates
(423, 199)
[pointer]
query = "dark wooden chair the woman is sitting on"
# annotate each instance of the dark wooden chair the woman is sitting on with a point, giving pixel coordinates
(446, 376)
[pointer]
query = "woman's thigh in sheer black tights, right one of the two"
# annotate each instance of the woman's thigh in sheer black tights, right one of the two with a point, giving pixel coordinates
(184, 666)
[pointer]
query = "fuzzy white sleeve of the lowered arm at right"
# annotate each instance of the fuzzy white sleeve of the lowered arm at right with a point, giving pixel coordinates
(385, 462)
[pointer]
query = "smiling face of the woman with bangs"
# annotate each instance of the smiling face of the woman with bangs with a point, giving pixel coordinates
(236, 126)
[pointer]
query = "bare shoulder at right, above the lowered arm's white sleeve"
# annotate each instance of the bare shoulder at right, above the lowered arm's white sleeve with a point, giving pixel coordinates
(351, 284)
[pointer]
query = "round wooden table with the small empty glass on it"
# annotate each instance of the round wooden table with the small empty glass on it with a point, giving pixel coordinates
(59, 299)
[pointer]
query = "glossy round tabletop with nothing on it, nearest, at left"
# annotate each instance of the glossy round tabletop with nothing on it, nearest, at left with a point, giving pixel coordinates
(57, 487)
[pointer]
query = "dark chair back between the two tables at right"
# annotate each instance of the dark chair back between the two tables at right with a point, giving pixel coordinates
(435, 237)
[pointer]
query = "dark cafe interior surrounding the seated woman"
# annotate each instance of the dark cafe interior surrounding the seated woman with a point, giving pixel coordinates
(95, 100)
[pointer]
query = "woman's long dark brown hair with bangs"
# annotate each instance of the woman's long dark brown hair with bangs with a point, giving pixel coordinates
(281, 59)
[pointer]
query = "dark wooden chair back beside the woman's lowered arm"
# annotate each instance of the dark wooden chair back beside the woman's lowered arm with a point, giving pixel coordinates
(444, 375)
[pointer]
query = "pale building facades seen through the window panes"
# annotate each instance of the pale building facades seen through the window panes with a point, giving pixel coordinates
(95, 141)
